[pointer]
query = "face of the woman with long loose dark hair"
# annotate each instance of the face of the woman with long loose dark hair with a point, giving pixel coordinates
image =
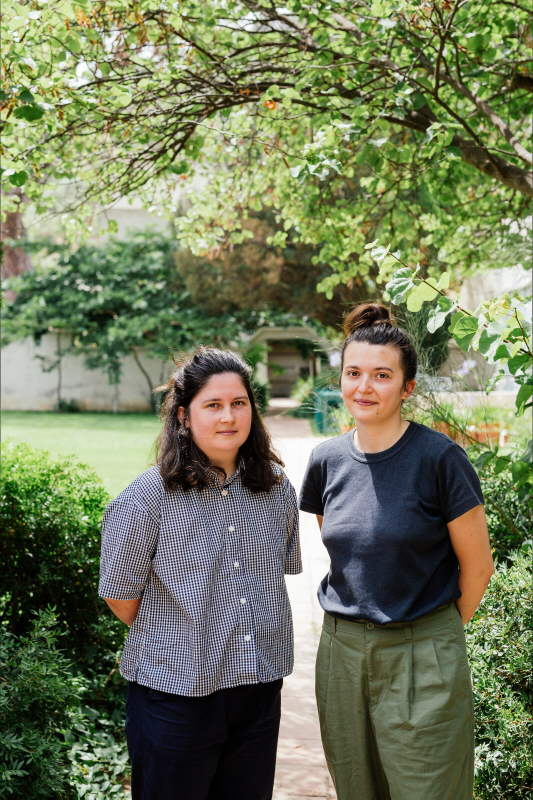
(220, 418)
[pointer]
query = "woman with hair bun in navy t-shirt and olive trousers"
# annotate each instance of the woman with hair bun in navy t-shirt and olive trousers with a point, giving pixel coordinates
(401, 514)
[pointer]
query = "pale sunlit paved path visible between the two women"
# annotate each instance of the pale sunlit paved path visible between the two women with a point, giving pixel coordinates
(301, 770)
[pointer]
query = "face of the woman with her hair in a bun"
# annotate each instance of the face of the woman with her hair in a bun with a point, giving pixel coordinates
(372, 382)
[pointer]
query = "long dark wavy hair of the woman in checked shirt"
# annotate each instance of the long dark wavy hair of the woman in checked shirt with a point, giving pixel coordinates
(182, 464)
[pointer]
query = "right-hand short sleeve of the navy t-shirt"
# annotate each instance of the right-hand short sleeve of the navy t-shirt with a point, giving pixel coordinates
(458, 485)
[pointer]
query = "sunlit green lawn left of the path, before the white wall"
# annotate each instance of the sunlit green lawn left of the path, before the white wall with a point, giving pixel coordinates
(117, 446)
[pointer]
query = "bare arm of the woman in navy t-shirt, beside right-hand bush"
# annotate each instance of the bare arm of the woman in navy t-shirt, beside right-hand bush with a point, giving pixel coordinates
(470, 541)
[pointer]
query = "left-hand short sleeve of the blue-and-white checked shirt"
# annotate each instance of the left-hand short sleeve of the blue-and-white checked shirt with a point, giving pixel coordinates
(129, 539)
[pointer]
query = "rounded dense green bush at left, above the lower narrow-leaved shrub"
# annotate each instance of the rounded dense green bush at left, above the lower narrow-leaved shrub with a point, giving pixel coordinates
(51, 511)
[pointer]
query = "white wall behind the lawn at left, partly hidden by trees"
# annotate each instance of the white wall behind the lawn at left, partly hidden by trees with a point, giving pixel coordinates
(26, 387)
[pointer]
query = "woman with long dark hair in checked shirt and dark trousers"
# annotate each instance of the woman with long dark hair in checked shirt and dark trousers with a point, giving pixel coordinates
(194, 554)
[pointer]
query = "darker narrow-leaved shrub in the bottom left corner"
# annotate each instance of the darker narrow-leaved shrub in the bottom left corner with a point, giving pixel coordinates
(38, 699)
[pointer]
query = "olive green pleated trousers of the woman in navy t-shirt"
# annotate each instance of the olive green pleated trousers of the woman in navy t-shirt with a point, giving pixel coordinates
(395, 708)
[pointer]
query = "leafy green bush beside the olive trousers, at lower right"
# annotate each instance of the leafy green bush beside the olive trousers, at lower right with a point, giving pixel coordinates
(500, 643)
